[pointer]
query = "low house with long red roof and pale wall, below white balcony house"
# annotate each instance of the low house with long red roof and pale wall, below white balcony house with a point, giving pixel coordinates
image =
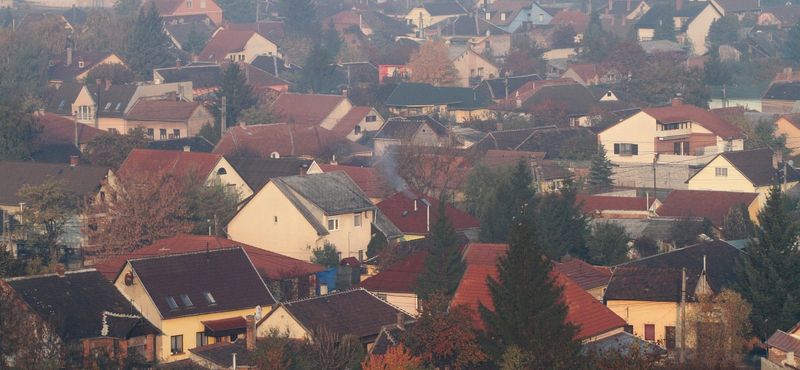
(603, 206)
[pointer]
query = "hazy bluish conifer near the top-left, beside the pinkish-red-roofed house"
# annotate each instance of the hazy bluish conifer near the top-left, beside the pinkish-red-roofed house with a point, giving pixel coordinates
(148, 45)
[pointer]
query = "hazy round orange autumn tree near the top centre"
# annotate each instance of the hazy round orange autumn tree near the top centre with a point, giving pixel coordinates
(431, 64)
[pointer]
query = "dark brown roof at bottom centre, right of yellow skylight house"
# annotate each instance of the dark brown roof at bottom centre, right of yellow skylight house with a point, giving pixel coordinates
(355, 312)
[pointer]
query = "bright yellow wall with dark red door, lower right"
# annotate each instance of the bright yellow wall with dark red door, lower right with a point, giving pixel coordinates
(639, 313)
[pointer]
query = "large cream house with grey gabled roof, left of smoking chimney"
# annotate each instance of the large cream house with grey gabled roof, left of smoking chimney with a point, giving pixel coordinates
(291, 215)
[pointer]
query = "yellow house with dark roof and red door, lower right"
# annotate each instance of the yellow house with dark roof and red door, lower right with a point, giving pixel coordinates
(647, 292)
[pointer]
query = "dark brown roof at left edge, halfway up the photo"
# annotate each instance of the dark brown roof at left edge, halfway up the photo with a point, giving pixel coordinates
(80, 180)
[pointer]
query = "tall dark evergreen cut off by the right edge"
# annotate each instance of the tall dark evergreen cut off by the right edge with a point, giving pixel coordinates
(768, 276)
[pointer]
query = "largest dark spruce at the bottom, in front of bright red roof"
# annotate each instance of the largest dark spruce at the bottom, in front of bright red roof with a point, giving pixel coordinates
(529, 312)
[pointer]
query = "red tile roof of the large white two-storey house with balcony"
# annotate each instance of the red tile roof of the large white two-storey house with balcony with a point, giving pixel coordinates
(707, 119)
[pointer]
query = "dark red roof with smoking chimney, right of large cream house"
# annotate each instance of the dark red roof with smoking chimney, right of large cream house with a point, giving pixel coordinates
(399, 208)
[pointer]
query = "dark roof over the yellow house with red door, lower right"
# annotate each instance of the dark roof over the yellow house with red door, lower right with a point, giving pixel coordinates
(657, 278)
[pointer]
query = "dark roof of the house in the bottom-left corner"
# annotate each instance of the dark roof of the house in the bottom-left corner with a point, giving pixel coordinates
(75, 304)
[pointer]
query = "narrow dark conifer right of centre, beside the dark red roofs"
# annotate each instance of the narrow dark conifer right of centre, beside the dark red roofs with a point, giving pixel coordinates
(444, 266)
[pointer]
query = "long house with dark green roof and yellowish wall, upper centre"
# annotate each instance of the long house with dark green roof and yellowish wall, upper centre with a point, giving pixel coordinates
(459, 103)
